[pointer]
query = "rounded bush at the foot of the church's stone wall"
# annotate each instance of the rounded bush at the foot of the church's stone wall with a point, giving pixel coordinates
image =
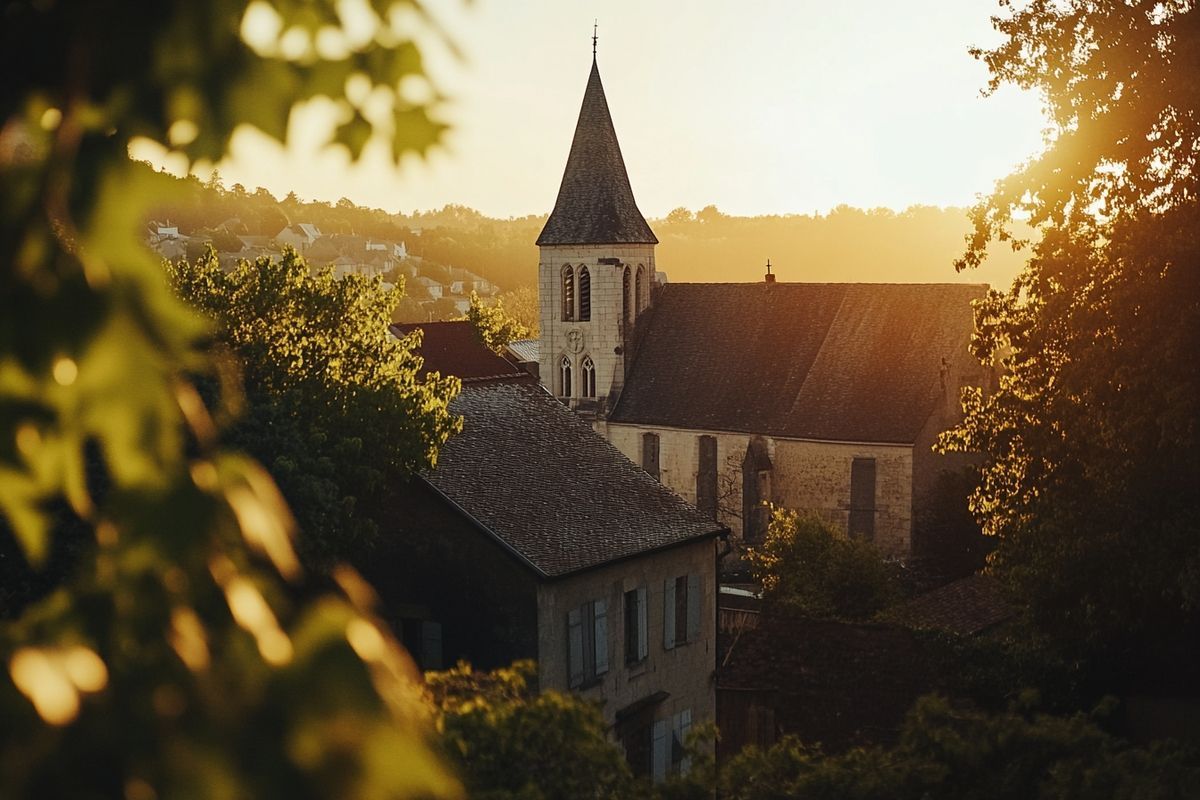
(806, 566)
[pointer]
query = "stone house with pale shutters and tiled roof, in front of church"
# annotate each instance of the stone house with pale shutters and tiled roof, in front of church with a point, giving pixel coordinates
(537, 539)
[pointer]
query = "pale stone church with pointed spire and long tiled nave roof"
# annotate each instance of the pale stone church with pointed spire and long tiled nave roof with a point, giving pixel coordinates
(824, 398)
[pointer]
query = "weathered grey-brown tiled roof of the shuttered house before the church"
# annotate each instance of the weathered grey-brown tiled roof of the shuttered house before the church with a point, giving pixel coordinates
(542, 480)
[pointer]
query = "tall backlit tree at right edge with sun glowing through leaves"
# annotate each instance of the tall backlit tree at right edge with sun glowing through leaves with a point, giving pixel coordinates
(1093, 459)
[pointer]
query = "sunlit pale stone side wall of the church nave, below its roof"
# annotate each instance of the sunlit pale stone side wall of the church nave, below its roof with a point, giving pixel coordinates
(807, 476)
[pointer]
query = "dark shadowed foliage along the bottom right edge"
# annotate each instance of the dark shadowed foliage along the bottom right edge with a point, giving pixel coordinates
(955, 755)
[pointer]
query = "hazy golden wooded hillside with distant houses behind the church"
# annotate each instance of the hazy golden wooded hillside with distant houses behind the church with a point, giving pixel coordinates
(853, 245)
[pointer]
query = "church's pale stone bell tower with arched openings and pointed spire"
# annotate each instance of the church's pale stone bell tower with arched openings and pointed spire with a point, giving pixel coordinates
(596, 267)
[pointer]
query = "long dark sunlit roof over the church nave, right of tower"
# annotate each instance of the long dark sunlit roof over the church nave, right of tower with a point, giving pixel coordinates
(832, 362)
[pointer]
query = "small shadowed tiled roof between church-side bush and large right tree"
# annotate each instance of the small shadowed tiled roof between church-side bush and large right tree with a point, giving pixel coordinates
(964, 607)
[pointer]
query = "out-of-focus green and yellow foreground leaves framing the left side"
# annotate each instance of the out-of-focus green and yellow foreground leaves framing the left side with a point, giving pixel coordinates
(173, 663)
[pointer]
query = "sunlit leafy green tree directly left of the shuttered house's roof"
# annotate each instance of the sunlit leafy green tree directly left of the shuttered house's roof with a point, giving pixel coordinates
(334, 407)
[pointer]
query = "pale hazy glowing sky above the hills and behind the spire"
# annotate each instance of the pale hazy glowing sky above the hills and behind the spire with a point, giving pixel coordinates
(758, 107)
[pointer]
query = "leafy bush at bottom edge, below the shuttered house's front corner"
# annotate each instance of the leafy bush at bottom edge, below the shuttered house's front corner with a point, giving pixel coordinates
(512, 742)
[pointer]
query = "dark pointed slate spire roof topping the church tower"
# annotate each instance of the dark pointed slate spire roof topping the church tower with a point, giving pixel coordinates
(596, 204)
